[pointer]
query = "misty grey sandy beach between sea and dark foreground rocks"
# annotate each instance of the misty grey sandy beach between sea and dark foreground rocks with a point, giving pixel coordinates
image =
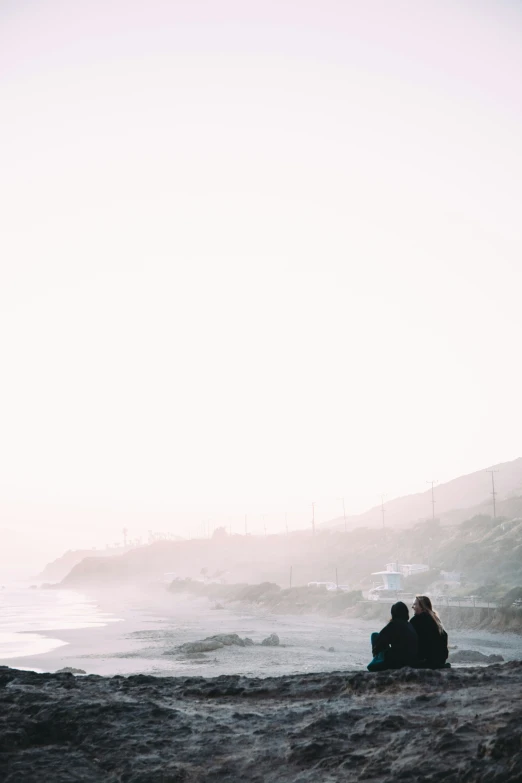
(148, 626)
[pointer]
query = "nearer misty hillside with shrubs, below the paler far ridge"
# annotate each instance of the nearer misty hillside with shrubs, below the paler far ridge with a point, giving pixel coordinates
(488, 553)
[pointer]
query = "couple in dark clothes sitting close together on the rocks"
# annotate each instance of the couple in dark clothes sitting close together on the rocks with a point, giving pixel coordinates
(420, 642)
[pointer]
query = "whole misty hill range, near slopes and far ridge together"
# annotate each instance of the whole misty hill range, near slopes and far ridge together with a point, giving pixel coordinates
(463, 537)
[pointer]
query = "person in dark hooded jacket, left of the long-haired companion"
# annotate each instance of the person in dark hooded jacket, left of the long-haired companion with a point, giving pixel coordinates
(396, 645)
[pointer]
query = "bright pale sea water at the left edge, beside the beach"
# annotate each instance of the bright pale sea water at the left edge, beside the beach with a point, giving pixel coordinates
(26, 612)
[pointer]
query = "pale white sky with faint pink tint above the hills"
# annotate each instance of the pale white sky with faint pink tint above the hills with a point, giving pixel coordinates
(254, 255)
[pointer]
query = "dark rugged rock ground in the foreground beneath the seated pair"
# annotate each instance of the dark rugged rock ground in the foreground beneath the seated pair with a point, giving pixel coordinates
(455, 725)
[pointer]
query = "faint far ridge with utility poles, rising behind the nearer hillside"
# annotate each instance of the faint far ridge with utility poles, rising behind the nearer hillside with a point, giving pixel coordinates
(455, 501)
